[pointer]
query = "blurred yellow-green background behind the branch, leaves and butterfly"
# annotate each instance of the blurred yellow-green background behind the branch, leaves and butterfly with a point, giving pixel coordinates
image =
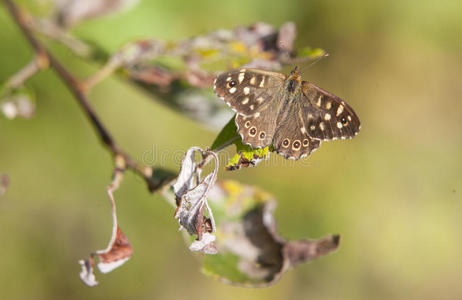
(393, 192)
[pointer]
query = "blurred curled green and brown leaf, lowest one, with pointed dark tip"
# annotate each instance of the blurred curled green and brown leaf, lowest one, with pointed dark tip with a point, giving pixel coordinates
(250, 250)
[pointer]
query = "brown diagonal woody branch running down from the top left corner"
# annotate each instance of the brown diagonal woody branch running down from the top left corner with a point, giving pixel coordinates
(43, 59)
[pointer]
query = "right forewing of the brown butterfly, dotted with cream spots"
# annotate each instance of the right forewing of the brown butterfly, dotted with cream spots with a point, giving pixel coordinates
(326, 116)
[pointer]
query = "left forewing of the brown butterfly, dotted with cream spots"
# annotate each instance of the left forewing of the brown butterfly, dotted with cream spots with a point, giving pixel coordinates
(248, 91)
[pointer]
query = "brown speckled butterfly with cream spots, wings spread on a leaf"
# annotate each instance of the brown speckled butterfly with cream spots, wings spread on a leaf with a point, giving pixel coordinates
(294, 116)
